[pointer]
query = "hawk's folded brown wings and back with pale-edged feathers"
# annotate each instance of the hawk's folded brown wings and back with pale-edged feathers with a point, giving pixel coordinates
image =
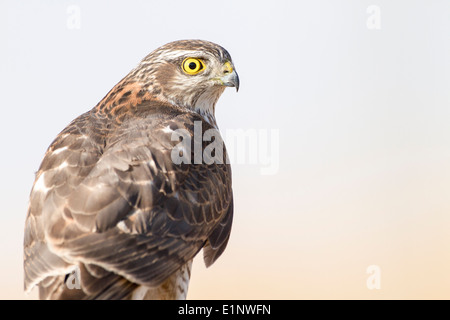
(115, 199)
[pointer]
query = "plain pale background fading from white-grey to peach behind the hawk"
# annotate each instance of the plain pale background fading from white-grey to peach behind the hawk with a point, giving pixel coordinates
(363, 118)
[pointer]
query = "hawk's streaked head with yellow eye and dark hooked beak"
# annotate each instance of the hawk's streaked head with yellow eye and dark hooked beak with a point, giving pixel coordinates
(188, 73)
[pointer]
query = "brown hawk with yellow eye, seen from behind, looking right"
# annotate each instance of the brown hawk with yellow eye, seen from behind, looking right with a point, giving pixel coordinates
(110, 204)
